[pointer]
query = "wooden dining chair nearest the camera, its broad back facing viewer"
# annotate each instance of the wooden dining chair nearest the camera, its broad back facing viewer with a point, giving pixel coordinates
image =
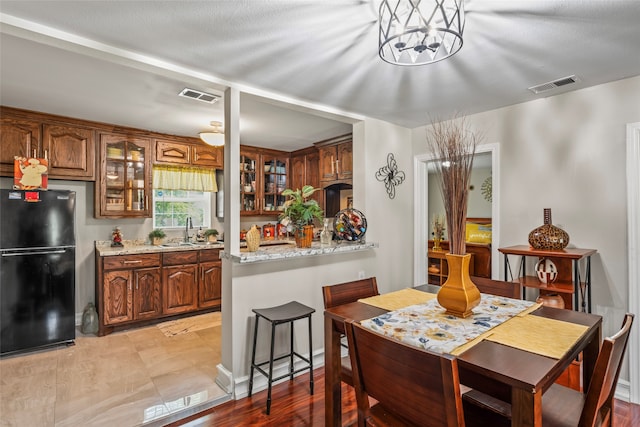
(411, 386)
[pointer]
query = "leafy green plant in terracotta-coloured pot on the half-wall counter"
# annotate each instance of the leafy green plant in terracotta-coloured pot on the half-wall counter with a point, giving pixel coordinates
(300, 211)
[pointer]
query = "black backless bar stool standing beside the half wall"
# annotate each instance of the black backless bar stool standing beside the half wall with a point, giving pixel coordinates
(287, 313)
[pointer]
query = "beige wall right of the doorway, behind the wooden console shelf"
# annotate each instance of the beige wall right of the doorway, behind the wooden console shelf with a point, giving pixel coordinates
(567, 153)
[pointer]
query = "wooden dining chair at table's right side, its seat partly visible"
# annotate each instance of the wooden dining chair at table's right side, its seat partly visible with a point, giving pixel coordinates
(562, 406)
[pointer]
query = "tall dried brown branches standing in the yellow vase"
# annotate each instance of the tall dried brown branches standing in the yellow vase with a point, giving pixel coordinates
(453, 147)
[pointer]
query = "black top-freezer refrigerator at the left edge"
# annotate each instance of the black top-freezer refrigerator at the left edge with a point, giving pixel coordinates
(37, 269)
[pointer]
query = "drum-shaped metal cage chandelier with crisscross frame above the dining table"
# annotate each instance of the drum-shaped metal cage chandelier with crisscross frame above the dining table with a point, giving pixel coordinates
(419, 32)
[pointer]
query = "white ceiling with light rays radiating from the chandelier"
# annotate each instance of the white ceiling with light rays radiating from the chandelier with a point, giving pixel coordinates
(124, 62)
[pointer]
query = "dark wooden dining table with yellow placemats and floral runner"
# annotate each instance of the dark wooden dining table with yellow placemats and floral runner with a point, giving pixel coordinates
(515, 375)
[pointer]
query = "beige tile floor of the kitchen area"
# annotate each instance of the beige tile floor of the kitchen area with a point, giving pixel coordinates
(129, 378)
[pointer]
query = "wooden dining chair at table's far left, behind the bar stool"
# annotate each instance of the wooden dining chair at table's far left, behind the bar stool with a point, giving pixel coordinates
(344, 293)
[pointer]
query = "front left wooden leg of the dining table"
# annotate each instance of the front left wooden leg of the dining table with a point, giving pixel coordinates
(332, 366)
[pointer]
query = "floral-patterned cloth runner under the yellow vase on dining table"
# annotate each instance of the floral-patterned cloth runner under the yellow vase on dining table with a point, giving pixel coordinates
(427, 326)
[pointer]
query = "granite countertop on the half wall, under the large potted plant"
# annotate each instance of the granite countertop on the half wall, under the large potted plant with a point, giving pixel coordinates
(280, 252)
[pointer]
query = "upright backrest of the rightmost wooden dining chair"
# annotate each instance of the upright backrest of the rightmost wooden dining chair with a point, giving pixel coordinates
(598, 404)
